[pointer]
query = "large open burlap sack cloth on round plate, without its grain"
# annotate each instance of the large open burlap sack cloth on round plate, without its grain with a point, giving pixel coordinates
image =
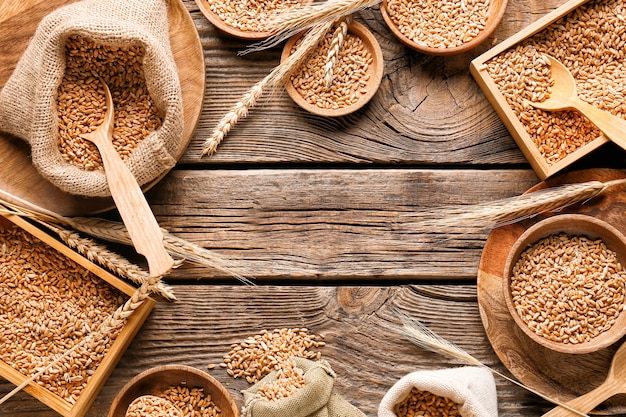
(28, 100)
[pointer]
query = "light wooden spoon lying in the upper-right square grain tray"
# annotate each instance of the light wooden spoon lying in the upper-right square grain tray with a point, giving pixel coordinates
(564, 97)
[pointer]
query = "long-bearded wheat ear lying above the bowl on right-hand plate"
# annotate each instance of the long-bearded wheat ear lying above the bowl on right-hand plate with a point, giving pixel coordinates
(501, 212)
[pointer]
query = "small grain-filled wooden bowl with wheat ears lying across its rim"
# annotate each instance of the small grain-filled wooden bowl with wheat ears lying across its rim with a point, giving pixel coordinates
(356, 72)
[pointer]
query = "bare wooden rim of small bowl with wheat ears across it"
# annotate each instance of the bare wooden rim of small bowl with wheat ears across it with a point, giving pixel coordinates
(375, 72)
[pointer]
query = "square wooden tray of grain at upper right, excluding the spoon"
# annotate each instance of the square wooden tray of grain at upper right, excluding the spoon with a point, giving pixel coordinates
(589, 38)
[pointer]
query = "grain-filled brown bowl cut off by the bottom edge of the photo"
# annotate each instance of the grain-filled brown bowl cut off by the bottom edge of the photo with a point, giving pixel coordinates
(180, 386)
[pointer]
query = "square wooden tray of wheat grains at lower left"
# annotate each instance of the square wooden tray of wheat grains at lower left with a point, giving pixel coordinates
(51, 298)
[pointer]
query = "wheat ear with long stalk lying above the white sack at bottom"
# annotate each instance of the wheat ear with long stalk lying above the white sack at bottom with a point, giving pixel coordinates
(420, 335)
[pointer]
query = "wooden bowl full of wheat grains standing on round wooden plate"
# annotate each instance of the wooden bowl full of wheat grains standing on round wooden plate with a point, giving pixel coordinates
(564, 283)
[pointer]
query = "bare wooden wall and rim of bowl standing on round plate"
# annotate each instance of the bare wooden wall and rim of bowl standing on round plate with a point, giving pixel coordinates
(573, 225)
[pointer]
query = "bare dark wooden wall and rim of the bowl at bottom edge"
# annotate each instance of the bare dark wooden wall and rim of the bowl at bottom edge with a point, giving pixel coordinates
(156, 380)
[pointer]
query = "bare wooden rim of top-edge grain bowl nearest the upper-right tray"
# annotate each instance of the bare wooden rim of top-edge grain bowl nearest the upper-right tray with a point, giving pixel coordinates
(495, 15)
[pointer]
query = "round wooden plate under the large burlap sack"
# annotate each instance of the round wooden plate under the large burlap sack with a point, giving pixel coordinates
(20, 182)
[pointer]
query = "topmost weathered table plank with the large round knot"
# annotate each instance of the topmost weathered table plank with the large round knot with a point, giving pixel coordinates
(428, 109)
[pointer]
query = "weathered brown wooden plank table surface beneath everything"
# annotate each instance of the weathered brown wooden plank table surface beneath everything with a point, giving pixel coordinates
(313, 210)
